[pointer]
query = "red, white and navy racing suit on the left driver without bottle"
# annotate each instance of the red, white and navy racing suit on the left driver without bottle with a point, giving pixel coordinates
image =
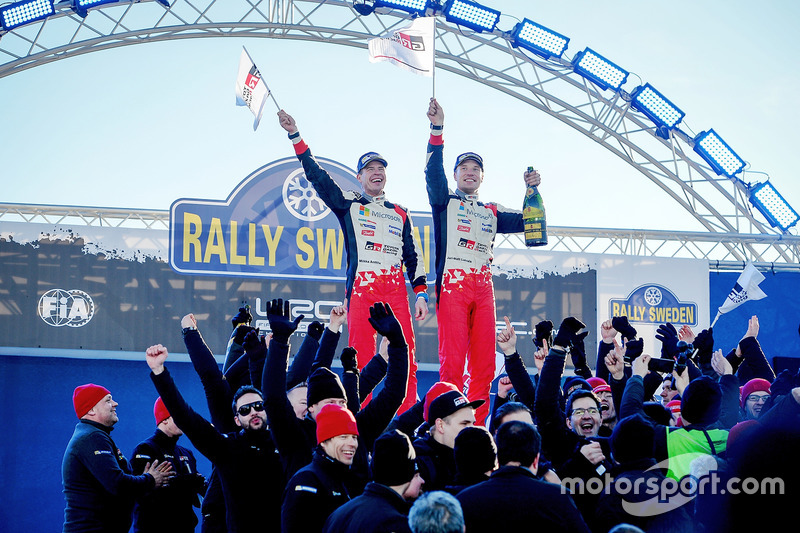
(379, 240)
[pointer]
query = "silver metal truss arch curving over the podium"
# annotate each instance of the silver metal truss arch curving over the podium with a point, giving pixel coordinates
(719, 204)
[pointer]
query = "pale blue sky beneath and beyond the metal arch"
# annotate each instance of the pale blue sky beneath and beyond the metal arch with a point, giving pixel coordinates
(143, 125)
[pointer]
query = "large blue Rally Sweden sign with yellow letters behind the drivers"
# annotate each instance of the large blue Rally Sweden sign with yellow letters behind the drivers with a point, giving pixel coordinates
(272, 225)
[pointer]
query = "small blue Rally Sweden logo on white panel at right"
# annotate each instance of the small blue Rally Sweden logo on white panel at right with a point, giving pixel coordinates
(654, 304)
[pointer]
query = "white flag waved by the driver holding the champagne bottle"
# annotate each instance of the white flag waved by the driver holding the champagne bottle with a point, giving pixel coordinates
(410, 48)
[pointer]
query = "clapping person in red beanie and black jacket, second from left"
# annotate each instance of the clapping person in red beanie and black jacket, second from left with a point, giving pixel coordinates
(167, 508)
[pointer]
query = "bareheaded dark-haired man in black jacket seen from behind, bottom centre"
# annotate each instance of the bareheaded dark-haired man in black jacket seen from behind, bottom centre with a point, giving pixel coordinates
(513, 498)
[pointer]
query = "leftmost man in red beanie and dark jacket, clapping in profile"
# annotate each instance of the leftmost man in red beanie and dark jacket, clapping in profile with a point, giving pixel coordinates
(98, 485)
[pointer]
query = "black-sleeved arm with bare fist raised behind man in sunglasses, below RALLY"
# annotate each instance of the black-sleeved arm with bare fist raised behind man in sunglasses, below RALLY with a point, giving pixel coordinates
(218, 390)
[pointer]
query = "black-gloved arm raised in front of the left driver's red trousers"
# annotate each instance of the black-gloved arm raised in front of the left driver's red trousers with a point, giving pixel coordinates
(374, 418)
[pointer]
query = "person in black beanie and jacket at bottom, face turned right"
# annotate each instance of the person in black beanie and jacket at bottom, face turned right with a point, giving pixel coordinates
(383, 507)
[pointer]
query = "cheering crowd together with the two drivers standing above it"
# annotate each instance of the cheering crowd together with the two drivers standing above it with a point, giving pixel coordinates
(693, 440)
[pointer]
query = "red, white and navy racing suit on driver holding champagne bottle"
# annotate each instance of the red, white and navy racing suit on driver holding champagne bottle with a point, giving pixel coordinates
(464, 231)
